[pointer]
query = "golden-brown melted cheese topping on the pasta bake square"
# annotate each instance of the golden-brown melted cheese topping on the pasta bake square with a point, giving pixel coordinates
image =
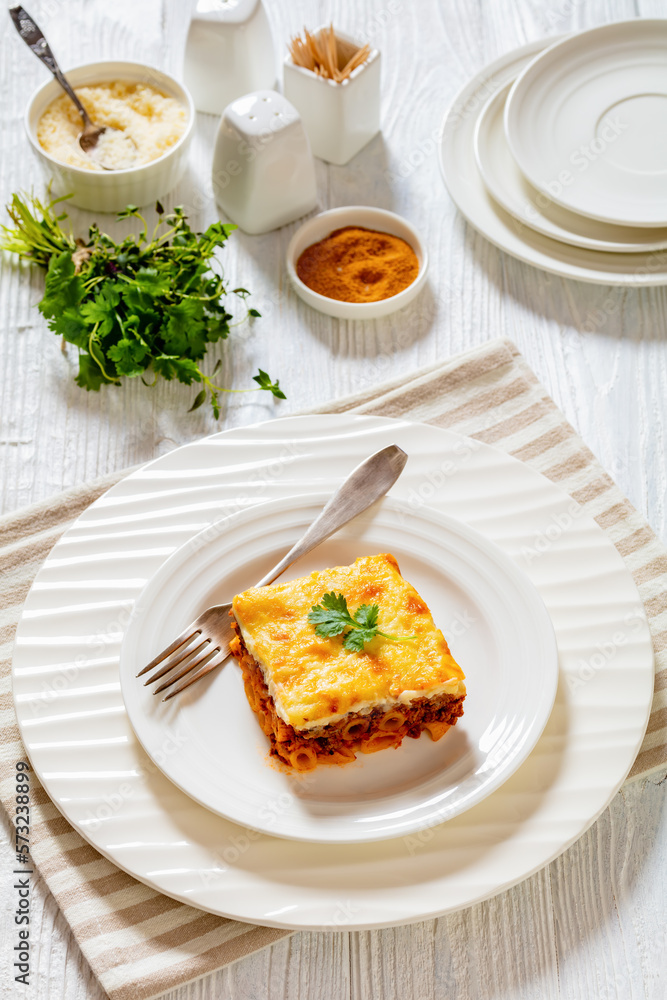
(315, 681)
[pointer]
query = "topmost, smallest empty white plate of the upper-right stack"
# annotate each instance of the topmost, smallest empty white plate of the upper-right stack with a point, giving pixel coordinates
(587, 122)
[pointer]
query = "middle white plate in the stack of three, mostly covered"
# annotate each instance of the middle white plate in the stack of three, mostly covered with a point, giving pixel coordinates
(534, 208)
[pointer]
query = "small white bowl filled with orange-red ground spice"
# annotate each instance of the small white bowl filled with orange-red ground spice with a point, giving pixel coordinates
(357, 262)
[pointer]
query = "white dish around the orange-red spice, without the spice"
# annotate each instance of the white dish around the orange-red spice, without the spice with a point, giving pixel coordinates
(370, 218)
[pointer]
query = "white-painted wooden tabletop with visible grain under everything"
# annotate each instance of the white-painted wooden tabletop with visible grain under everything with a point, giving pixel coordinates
(591, 926)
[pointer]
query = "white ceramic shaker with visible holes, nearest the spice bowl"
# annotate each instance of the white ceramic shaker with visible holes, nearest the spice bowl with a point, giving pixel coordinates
(263, 169)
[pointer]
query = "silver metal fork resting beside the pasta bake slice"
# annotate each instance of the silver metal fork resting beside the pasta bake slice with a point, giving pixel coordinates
(204, 644)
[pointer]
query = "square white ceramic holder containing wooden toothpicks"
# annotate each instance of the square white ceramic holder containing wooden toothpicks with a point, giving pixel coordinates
(340, 118)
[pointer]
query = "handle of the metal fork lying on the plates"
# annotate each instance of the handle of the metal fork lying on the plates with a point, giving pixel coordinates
(365, 484)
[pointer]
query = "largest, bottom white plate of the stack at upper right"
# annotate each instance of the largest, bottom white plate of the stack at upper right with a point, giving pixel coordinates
(469, 192)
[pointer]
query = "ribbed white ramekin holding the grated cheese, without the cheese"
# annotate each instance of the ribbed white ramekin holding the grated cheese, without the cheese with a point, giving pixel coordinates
(112, 190)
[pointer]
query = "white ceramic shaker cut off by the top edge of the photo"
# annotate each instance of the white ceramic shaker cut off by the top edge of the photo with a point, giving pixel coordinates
(229, 52)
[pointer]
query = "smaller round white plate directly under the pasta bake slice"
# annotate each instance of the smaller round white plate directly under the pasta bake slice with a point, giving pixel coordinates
(507, 648)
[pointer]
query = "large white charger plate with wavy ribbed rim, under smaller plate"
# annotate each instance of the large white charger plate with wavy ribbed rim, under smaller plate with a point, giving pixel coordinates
(80, 741)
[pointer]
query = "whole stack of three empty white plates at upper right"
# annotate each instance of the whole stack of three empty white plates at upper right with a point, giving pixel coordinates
(557, 153)
